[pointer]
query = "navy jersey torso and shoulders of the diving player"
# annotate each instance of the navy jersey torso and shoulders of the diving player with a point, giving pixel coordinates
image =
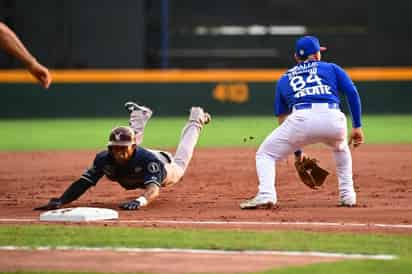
(142, 169)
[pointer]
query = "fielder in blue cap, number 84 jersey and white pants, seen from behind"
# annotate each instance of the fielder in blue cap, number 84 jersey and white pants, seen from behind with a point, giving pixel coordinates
(308, 108)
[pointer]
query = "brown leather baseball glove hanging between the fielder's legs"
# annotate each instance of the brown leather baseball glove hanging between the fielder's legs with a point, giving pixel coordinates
(310, 172)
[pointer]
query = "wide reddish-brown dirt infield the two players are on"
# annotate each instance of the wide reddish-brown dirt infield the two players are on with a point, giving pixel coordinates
(216, 182)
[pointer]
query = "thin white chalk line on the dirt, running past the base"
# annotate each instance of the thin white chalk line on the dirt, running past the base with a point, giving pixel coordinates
(251, 223)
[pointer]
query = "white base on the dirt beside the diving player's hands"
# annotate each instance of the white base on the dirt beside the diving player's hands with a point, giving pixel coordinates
(79, 214)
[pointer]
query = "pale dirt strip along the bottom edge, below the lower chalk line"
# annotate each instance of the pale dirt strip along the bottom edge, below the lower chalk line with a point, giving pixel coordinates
(162, 262)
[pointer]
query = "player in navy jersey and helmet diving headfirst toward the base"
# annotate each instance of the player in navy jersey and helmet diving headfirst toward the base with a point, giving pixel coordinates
(133, 166)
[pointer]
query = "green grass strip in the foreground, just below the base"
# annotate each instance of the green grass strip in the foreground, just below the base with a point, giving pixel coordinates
(57, 235)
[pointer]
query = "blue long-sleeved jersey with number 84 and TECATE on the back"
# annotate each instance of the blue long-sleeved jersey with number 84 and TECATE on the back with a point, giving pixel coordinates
(316, 82)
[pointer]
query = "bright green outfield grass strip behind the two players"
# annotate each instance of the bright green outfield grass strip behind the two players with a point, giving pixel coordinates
(66, 134)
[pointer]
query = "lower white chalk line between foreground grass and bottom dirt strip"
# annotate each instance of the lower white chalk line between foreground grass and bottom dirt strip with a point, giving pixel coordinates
(203, 251)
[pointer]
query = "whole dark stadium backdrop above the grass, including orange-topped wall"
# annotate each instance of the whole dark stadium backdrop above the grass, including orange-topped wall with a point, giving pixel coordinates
(121, 40)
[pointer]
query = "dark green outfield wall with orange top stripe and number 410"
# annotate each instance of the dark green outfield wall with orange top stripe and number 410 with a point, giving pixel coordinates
(240, 92)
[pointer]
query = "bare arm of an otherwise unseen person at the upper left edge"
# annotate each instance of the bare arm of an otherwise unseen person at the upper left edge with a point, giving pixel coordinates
(12, 45)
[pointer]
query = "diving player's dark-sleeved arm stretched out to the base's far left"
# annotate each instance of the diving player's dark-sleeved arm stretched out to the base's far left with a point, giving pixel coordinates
(74, 191)
